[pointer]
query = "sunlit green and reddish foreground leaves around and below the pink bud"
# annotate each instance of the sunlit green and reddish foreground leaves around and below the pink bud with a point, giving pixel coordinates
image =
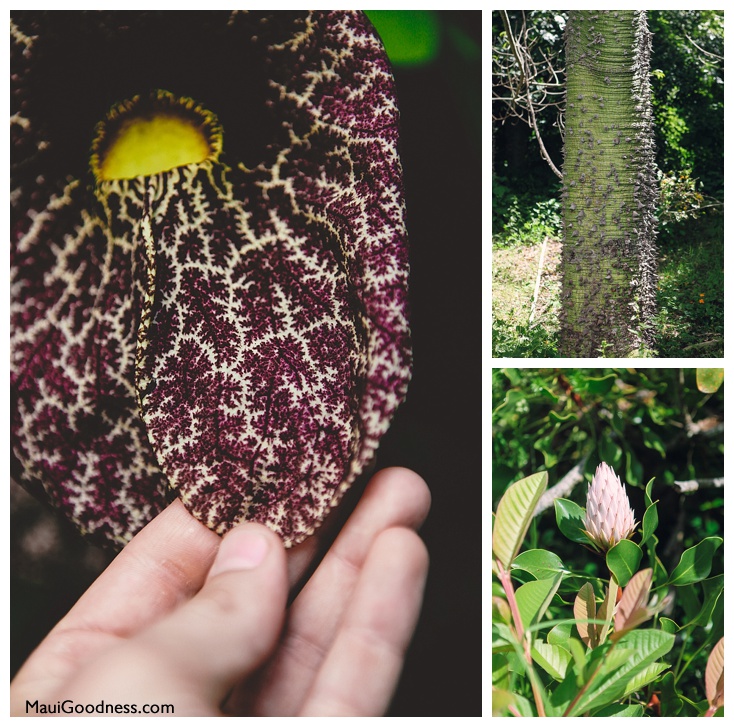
(599, 662)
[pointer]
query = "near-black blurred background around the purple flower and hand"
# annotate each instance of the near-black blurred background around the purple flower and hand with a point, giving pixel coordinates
(436, 432)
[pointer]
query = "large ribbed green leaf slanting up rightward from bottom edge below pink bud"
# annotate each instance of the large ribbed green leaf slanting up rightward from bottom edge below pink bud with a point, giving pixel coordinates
(644, 647)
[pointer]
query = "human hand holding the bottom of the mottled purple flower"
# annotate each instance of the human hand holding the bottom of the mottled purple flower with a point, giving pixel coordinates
(182, 617)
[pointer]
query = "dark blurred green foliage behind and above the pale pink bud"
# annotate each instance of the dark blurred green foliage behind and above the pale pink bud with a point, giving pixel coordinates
(646, 423)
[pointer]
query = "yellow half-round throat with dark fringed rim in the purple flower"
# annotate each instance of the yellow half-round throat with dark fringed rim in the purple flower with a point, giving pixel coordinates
(149, 135)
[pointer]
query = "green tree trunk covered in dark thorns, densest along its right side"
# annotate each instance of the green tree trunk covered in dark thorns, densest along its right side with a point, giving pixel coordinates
(609, 186)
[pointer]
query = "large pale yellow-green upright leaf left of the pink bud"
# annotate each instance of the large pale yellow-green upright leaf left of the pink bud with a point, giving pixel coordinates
(514, 512)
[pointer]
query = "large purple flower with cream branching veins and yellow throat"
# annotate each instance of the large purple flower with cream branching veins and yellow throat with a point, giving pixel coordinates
(211, 303)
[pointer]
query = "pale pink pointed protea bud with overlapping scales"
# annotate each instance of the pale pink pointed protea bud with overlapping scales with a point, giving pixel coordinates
(609, 517)
